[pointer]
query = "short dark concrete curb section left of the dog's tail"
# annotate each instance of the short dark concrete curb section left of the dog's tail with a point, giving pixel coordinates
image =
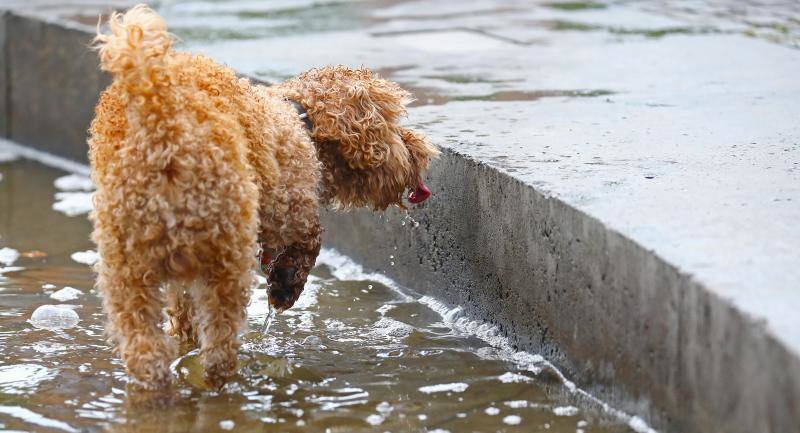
(51, 82)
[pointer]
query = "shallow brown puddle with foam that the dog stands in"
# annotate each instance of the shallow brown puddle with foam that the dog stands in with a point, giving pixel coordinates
(356, 353)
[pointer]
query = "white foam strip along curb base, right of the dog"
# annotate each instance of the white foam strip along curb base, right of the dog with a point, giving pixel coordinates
(344, 268)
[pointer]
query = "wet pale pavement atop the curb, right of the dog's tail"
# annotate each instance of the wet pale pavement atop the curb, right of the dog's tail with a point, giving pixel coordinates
(674, 122)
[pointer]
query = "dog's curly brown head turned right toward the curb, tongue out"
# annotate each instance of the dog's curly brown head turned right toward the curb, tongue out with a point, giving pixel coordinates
(369, 159)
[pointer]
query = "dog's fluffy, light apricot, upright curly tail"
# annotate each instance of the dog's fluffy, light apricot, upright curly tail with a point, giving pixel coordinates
(135, 49)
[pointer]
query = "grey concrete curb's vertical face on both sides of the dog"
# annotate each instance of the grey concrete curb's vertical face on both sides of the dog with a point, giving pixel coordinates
(627, 325)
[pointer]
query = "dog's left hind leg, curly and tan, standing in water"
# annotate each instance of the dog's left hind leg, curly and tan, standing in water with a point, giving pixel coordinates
(133, 302)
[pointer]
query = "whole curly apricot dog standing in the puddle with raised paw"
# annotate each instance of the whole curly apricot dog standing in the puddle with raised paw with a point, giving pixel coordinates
(195, 167)
